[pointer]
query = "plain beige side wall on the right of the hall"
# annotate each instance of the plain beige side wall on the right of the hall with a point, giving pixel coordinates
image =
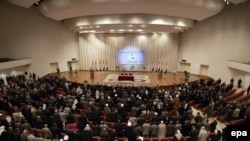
(217, 40)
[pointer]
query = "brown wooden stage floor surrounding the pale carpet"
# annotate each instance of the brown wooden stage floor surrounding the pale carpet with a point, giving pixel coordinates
(166, 80)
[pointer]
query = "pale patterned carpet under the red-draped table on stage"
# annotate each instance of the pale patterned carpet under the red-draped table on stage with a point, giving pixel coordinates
(137, 78)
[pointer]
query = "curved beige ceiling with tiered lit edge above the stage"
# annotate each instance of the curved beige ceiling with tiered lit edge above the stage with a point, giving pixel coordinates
(120, 16)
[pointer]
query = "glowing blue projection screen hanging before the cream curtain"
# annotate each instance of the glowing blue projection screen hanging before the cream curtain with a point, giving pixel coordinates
(136, 57)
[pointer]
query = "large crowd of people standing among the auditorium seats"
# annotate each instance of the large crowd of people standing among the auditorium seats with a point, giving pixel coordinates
(49, 108)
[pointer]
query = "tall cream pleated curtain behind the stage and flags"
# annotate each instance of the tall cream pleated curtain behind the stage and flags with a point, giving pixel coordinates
(98, 51)
